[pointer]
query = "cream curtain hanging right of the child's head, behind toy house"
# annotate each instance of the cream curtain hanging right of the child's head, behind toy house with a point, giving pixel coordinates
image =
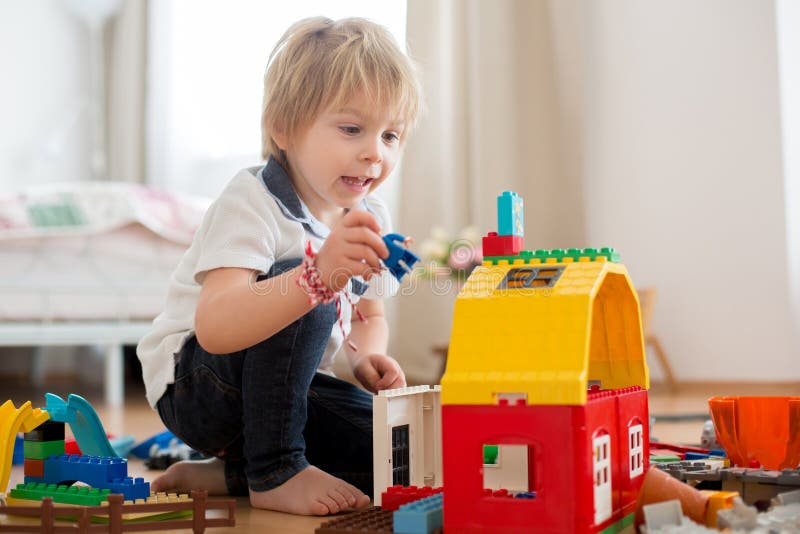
(496, 119)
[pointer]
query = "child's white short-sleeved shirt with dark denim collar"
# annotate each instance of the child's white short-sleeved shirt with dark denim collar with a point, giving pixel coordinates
(257, 220)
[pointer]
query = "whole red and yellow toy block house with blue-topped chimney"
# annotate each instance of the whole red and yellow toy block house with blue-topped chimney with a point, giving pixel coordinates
(546, 367)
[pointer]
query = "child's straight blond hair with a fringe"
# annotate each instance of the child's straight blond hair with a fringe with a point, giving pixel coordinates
(319, 63)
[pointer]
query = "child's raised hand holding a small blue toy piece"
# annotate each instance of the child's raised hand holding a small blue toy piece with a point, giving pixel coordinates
(353, 248)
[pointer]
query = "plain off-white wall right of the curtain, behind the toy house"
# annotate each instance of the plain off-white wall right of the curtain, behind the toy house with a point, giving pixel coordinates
(683, 174)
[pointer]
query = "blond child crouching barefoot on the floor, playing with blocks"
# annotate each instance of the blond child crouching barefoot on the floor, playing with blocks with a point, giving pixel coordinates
(238, 363)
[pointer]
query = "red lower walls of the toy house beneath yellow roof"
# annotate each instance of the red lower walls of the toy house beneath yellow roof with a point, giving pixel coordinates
(560, 463)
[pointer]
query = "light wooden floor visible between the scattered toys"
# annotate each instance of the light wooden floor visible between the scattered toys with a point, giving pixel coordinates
(138, 420)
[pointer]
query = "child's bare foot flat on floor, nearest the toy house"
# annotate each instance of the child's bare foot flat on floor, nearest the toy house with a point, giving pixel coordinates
(310, 492)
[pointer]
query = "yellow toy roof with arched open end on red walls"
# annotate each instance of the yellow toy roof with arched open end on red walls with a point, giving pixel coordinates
(544, 330)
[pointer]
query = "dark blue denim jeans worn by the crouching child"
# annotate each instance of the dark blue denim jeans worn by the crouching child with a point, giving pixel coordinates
(267, 413)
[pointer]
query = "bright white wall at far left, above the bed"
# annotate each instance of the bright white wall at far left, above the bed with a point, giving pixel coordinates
(44, 120)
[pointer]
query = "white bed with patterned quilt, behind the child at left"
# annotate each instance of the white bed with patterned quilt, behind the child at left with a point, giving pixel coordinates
(88, 263)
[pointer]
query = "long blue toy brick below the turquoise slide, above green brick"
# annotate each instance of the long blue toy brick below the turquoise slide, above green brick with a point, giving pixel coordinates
(96, 471)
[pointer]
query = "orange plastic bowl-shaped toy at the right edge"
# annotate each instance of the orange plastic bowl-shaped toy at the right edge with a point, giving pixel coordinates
(763, 430)
